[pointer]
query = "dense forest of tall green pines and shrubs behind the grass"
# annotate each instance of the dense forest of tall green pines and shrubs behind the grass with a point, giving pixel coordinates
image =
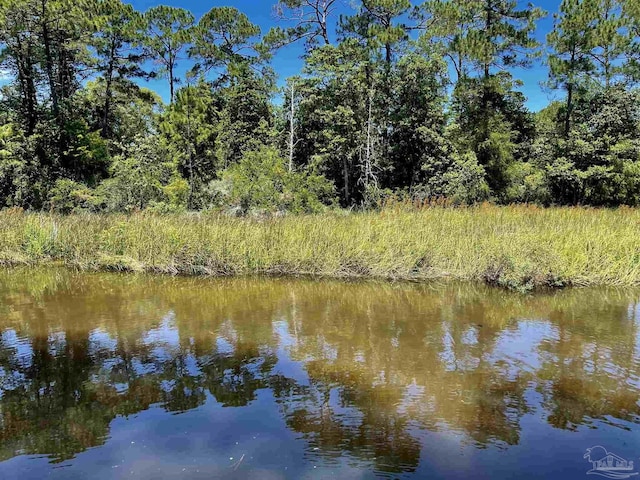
(395, 100)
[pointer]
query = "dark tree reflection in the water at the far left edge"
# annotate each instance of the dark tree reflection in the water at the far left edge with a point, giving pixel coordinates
(49, 410)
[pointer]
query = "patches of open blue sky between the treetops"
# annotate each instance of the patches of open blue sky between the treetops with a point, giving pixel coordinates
(287, 62)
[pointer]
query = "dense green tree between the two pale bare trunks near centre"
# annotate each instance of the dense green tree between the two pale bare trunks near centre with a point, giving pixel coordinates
(335, 121)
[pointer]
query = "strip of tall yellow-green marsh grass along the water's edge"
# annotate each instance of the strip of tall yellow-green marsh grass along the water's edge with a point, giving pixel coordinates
(515, 247)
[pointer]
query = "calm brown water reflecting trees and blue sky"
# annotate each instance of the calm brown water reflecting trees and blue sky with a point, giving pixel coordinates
(107, 376)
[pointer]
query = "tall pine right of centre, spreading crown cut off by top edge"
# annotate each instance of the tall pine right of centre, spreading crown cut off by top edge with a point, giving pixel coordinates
(487, 37)
